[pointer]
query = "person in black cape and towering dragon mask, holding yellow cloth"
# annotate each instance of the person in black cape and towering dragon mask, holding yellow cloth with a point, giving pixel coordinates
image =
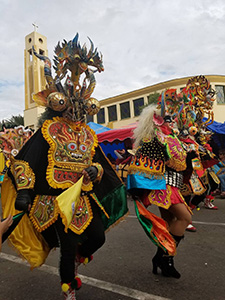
(58, 178)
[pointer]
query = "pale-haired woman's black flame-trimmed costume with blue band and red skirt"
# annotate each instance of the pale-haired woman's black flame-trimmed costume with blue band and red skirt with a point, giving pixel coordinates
(157, 169)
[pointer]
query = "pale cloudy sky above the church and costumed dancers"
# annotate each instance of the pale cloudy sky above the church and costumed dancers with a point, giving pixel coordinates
(143, 42)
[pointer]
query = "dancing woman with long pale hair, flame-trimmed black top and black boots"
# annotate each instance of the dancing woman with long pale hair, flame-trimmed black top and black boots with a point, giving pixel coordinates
(156, 175)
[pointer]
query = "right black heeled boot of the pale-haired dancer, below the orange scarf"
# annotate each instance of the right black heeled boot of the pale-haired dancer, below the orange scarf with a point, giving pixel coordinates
(167, 263)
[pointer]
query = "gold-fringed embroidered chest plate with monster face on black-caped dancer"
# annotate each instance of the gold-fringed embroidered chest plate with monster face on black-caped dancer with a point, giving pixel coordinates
(72, 146)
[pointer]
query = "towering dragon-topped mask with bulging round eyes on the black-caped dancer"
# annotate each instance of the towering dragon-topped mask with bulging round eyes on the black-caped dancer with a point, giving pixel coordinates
(73, 99)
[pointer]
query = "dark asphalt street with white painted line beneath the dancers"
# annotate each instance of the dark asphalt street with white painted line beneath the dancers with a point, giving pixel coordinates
(121, 270)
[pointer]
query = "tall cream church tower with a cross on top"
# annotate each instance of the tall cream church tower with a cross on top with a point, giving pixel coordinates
(34, 76)
